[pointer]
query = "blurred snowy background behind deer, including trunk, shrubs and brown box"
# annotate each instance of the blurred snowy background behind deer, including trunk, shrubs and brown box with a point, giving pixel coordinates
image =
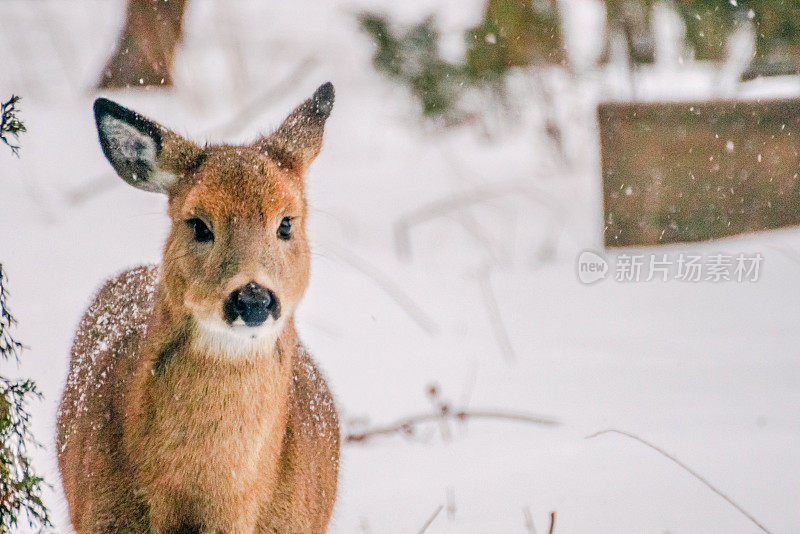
(476, 150)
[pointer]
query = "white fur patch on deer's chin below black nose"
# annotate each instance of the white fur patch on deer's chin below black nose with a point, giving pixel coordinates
(238, 340)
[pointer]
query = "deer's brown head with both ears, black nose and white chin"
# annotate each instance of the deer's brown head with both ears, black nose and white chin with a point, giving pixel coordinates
(236, 260)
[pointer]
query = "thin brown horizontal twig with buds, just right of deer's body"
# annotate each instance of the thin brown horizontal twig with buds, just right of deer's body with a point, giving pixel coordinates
(407, 425)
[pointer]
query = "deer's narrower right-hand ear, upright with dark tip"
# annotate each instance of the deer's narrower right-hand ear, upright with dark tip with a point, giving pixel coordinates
(297, 141)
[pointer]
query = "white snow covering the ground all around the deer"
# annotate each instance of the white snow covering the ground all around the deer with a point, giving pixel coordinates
(708, 371)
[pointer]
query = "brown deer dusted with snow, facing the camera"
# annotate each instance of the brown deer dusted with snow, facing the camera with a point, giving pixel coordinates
(191, 405)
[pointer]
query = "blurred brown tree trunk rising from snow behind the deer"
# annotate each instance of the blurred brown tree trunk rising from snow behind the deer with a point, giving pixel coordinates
(146, 49)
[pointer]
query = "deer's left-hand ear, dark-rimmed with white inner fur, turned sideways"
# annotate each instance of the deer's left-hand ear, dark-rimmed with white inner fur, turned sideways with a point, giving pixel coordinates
(143, 153)
